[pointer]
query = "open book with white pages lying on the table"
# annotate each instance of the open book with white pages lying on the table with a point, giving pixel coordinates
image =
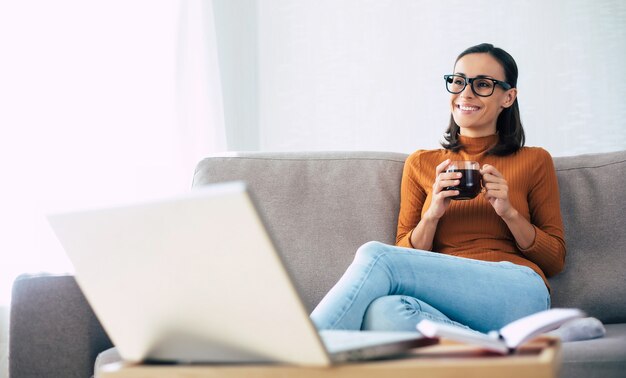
(509, 337)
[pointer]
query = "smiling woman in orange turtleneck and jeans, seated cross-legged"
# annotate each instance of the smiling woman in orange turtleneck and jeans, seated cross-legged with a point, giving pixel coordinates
(490, 255)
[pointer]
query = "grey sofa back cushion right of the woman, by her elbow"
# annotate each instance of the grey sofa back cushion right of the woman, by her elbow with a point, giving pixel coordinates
(592, 203)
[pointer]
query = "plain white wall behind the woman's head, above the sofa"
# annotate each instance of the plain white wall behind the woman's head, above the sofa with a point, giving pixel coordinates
(367, 75)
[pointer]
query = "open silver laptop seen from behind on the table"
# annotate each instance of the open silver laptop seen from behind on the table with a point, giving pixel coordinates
(196, 278)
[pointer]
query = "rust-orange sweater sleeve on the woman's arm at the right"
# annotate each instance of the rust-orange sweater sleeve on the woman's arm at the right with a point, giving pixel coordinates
(548, 248)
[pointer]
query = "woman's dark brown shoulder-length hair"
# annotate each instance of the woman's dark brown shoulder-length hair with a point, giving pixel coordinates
(509, 124)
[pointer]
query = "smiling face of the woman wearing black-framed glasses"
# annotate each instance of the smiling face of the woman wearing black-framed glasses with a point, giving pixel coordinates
(477, 116)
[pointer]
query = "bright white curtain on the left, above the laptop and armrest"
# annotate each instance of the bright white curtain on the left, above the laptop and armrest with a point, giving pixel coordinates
(100, 102)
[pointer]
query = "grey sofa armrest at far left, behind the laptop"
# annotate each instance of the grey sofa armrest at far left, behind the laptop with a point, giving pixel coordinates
(53, 330)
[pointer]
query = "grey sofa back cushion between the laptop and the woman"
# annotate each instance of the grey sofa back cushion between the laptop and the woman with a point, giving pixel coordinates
(319, 207)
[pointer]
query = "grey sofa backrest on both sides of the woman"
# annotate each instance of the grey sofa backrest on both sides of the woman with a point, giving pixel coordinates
(321, 206)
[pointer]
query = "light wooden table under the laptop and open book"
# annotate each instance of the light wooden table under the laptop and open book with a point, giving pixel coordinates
(539, 359)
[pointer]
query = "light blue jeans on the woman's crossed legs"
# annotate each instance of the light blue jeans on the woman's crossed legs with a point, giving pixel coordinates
(393, 288)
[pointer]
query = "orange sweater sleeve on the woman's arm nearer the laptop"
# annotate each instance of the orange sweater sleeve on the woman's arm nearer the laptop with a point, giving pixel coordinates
(412, 197)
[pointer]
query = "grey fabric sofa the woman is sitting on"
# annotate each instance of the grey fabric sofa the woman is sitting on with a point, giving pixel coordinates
(320, 207)
